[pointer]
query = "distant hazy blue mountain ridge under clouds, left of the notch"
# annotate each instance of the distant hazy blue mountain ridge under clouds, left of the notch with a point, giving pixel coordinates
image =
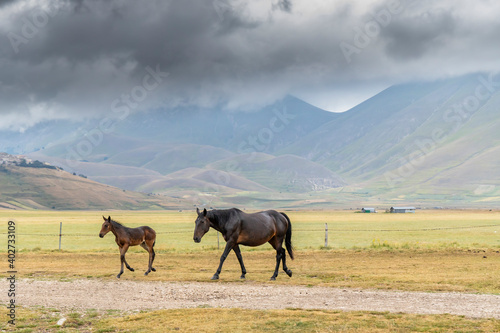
(265, 130)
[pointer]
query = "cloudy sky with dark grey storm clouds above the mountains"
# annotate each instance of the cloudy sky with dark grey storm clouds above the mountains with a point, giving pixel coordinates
(89, 58)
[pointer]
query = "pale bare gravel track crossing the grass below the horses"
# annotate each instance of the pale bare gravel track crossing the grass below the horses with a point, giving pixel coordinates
(131, 296)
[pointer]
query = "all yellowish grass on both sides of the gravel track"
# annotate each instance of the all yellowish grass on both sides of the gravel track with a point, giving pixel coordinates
(427, 251)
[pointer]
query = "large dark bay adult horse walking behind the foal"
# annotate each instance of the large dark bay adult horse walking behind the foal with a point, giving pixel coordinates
(255, 229)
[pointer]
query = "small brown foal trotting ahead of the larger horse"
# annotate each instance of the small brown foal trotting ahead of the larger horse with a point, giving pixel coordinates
(125, 237)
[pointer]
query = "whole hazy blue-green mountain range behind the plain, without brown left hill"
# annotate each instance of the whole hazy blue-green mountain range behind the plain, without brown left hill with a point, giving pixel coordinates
(421, 143)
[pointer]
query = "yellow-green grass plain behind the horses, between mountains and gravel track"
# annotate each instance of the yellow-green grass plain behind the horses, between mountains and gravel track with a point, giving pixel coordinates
(426, 251)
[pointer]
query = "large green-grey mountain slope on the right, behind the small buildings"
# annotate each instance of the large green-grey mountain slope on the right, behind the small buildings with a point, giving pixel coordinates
(417, 142)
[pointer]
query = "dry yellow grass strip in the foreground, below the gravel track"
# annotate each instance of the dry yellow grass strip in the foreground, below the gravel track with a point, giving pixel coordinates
(237, 320)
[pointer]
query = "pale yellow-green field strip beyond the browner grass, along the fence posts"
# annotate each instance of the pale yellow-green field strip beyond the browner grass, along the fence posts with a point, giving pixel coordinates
(346, 230)
